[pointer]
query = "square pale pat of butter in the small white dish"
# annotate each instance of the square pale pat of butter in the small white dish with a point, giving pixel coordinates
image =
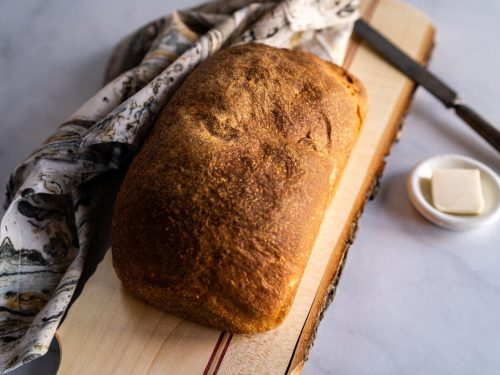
(457, 191)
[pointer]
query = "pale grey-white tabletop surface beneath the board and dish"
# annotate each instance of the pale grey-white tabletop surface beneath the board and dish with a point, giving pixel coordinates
(413, 298)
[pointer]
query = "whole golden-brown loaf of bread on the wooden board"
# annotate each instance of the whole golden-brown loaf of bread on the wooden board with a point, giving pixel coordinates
(220, 209)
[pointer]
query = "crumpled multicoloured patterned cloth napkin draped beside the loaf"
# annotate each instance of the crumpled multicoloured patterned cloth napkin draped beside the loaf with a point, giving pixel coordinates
(46, 230)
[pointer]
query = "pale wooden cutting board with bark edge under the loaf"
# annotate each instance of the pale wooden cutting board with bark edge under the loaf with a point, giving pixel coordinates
(109, 332)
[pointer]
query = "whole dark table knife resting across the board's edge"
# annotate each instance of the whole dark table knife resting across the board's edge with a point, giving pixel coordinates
(428, 80)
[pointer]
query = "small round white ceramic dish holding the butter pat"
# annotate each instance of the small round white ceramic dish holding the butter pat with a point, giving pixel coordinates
(419, 191)
